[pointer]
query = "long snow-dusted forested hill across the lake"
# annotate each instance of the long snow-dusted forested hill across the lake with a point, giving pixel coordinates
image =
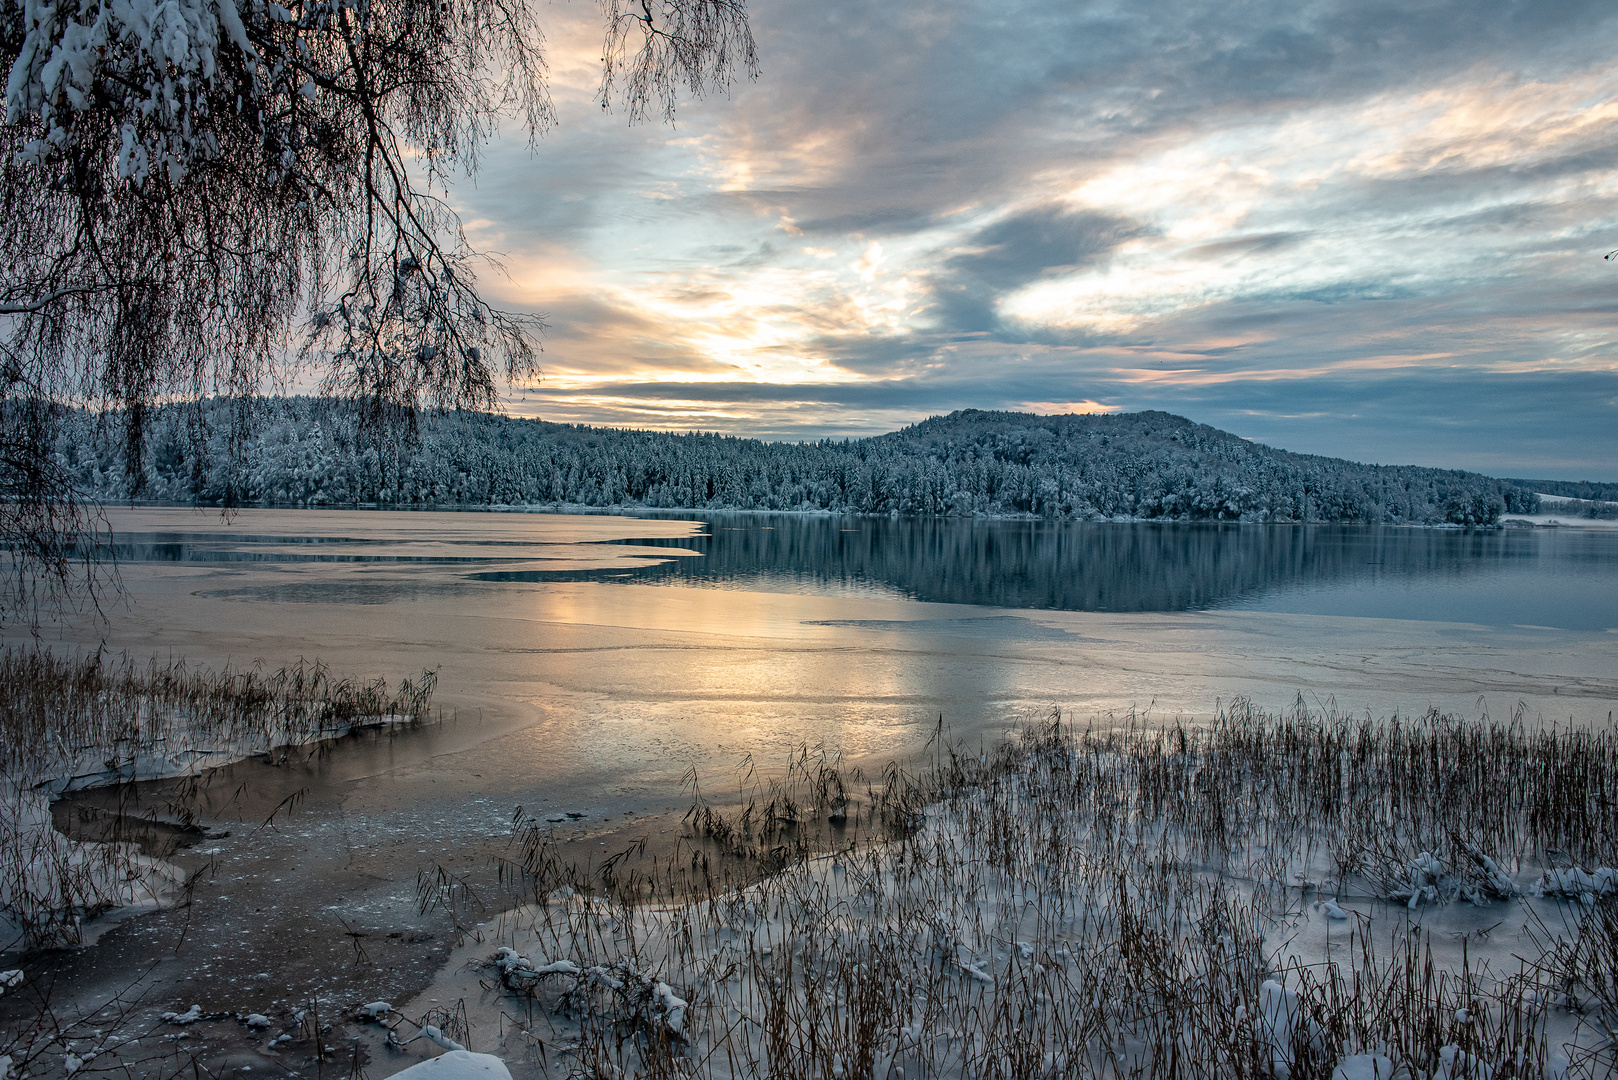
(1132, 466)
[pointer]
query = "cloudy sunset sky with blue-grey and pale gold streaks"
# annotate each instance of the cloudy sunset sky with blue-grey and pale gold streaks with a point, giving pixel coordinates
(1362, 229)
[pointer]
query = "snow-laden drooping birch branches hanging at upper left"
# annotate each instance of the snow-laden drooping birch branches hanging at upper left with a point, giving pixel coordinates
(206, 197)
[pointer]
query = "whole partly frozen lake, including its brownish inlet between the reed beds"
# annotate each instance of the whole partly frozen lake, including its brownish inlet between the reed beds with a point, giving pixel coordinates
(587, 663)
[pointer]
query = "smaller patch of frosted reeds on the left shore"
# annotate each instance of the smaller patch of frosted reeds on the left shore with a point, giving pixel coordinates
(69, 725)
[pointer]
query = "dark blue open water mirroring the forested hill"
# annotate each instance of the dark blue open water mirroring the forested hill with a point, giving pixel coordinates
(1561, 579)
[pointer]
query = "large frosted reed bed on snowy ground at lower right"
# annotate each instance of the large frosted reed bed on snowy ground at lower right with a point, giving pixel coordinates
(1116, 903)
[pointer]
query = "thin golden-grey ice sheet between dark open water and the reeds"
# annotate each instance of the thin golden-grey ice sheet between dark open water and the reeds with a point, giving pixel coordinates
(599, 697)
